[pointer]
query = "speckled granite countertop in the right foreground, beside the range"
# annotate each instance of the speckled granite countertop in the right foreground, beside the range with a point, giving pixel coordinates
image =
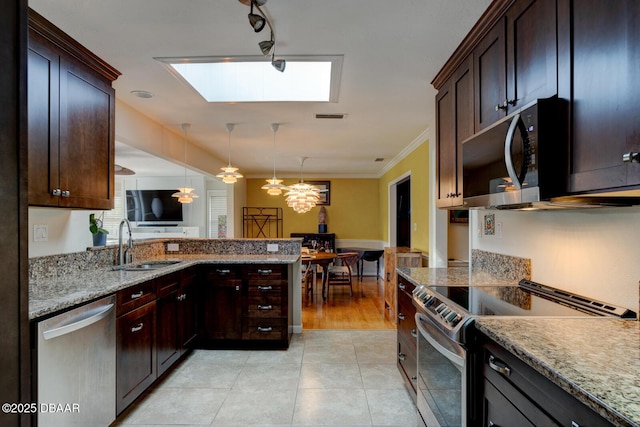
(595, 360)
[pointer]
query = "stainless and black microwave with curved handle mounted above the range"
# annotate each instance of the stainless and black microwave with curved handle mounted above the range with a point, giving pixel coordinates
(520, 160)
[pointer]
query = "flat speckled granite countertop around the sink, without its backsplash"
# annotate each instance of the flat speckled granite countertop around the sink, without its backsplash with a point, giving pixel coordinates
(47, 296)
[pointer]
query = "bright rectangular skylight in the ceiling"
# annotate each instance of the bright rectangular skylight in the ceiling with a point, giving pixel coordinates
(253, 79)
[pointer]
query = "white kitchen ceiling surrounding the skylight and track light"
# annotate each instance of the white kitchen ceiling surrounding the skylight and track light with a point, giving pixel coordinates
(392, 50)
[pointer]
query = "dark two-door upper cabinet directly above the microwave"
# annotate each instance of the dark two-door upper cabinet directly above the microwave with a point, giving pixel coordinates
(515, 62)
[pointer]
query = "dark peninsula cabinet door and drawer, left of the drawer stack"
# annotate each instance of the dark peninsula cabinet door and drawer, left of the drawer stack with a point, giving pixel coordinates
(221, 303)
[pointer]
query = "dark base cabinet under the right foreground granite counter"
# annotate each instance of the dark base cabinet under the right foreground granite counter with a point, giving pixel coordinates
(515, 394)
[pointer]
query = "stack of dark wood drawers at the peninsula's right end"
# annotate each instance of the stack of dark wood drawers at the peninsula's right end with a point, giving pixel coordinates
(266, 307)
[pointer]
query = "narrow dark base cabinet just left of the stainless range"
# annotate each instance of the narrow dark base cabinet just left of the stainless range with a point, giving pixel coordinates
(407, 335)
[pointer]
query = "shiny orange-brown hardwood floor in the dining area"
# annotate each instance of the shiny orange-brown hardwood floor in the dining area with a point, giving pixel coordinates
(363, 310)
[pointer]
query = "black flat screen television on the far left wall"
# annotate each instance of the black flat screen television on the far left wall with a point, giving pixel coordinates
(155, 206)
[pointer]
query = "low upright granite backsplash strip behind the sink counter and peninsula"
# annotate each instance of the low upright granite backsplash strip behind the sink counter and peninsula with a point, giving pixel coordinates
(52, 266)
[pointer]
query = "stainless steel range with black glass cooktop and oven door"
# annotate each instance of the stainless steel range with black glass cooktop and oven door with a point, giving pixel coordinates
(445, 317)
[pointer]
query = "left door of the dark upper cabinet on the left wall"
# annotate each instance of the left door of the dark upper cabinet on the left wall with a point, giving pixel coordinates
(43, 77)
